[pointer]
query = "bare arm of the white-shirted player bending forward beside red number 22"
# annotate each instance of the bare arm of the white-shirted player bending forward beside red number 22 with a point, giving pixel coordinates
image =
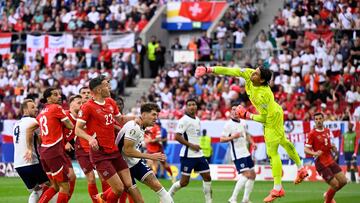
(130, 151)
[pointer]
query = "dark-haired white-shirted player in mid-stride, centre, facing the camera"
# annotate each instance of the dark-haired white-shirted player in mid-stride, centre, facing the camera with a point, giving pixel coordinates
(191, 156)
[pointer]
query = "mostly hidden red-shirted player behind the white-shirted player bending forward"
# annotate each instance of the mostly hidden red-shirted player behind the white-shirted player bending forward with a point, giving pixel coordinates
(153, 145)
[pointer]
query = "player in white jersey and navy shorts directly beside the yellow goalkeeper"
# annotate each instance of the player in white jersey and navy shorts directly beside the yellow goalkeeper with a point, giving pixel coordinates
(235, 133)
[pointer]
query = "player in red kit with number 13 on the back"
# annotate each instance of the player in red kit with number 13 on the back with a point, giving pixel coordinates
(52, 155)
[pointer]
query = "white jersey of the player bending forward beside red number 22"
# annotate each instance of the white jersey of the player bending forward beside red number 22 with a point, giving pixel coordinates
(131, 131)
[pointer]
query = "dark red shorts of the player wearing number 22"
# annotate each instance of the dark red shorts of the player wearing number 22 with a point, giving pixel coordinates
(110, 164)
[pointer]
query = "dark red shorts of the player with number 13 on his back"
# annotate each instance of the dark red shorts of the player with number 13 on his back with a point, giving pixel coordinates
(56, 168)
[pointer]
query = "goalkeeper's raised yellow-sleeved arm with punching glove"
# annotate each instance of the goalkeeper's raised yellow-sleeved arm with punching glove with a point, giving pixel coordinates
(220, 70)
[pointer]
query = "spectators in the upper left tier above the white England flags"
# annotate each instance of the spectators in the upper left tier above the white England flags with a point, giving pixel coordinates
(73, 16)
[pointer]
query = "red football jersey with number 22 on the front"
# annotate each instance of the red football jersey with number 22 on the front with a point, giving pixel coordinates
(99, 119)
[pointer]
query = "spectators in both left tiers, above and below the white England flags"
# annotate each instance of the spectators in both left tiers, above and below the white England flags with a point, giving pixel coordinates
(21, 78)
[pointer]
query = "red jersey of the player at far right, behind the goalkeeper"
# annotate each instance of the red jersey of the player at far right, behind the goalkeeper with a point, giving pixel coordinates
(321, 140)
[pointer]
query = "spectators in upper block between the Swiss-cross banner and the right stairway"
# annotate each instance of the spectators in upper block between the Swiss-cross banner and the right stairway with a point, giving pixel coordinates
(230, 33)
